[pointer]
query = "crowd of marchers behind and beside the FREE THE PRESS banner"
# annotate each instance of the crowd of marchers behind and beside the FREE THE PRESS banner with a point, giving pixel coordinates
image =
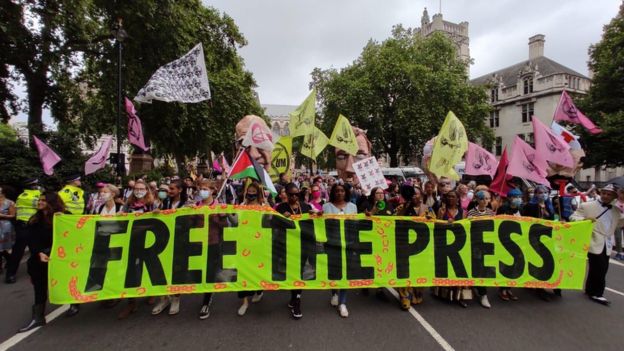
(31, 216)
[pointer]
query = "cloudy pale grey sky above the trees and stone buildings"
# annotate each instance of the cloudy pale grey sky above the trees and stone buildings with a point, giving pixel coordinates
(288, 38)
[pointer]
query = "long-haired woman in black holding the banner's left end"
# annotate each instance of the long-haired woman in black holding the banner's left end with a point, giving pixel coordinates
(40, 244)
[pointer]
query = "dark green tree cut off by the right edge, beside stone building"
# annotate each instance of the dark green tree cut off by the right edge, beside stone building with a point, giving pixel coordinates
(605, 101)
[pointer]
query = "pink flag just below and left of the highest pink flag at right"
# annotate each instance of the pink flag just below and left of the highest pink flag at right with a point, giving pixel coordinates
(549, 146)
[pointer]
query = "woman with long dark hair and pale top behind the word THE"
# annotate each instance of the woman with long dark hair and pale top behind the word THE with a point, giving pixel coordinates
(339, 204)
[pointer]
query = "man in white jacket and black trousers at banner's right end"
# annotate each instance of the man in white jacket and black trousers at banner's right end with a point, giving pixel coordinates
(606, 218)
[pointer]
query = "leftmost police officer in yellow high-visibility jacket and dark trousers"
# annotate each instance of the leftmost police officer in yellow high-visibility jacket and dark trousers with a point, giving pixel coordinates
(26, 206)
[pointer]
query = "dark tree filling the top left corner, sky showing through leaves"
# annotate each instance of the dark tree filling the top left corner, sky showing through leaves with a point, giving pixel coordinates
(40, 43)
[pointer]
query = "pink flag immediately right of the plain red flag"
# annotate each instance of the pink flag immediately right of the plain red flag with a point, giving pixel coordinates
(524, 163)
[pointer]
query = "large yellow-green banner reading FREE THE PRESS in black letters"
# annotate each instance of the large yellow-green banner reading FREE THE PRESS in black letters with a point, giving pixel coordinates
(233, 248)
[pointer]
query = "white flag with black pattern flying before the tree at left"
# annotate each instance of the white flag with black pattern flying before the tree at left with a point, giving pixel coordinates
(183, 80)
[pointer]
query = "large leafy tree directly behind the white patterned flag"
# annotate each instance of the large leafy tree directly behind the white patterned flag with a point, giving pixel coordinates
(160, 32)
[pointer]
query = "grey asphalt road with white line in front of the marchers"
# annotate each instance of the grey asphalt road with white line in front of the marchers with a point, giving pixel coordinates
(569, 323)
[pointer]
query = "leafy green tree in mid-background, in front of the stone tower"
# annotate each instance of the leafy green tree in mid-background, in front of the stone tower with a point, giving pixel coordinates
(400, 90)
